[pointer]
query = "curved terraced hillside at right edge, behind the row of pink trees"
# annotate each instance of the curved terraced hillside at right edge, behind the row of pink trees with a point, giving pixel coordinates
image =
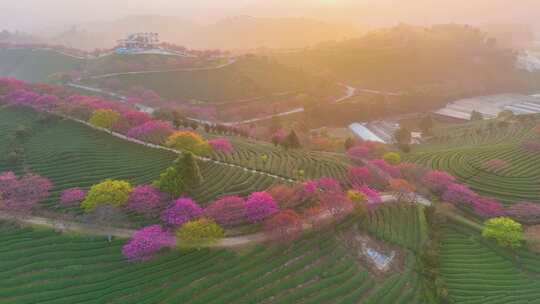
(463, 152)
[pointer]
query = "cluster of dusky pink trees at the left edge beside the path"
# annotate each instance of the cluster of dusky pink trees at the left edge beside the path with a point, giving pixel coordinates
(21, 194)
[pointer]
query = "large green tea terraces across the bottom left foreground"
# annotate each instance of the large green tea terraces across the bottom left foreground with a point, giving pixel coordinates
(44, 267)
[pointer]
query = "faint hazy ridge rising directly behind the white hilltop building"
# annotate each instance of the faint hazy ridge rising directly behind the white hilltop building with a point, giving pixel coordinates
(242, 32)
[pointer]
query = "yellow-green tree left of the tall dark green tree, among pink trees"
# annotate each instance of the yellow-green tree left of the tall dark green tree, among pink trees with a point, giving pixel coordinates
(114, 192)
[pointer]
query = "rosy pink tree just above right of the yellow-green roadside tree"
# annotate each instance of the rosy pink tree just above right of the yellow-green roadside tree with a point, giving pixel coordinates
(228, 211)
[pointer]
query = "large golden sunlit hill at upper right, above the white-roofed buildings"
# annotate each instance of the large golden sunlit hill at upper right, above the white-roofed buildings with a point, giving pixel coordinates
(405, 57)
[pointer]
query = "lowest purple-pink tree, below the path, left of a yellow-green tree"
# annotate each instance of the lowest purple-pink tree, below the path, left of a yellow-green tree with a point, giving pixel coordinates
(146, 242)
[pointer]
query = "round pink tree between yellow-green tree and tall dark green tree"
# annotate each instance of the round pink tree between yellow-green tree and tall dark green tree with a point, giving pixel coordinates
(146, 200)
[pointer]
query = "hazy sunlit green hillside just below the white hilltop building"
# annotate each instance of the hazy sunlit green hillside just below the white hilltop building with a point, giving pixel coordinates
(247, 78)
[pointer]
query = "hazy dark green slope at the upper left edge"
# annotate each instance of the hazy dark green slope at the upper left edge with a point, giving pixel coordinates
(35, 66)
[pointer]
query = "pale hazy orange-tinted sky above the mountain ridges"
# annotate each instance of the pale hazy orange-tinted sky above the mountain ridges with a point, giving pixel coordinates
(39, 14)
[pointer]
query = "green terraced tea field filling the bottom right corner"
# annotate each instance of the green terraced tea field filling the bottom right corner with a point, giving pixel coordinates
(477, 271)
